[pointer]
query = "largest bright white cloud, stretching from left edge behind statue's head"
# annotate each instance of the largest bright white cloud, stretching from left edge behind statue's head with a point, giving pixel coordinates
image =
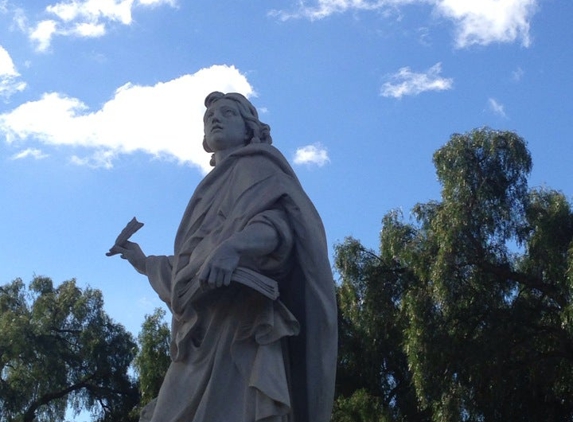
(164, 120)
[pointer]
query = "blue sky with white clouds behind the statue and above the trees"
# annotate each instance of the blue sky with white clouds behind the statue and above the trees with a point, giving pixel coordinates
(101, 105)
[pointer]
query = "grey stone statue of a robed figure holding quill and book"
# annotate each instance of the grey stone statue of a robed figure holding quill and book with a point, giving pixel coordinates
(249, 233)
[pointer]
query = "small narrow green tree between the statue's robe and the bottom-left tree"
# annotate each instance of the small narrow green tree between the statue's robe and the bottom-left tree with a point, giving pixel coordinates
(153, 358)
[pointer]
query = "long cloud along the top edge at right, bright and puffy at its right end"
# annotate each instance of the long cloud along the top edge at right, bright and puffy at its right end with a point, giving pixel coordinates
(479, 22)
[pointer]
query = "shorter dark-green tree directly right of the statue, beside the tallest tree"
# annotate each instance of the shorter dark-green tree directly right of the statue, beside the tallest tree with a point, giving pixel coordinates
(372, 376)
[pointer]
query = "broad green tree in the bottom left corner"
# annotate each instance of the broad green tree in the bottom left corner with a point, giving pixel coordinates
(59, 350)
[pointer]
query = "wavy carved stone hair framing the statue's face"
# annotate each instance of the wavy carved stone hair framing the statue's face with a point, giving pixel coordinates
(259, 132)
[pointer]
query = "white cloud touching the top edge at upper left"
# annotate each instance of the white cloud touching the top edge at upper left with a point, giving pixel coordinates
(83, 18)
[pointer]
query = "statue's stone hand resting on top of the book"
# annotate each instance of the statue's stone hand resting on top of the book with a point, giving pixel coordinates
(218, 268)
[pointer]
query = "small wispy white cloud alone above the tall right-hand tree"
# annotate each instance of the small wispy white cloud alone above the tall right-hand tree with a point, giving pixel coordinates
(406, 82)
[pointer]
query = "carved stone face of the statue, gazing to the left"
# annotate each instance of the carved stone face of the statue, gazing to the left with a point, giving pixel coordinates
(224, 126)
